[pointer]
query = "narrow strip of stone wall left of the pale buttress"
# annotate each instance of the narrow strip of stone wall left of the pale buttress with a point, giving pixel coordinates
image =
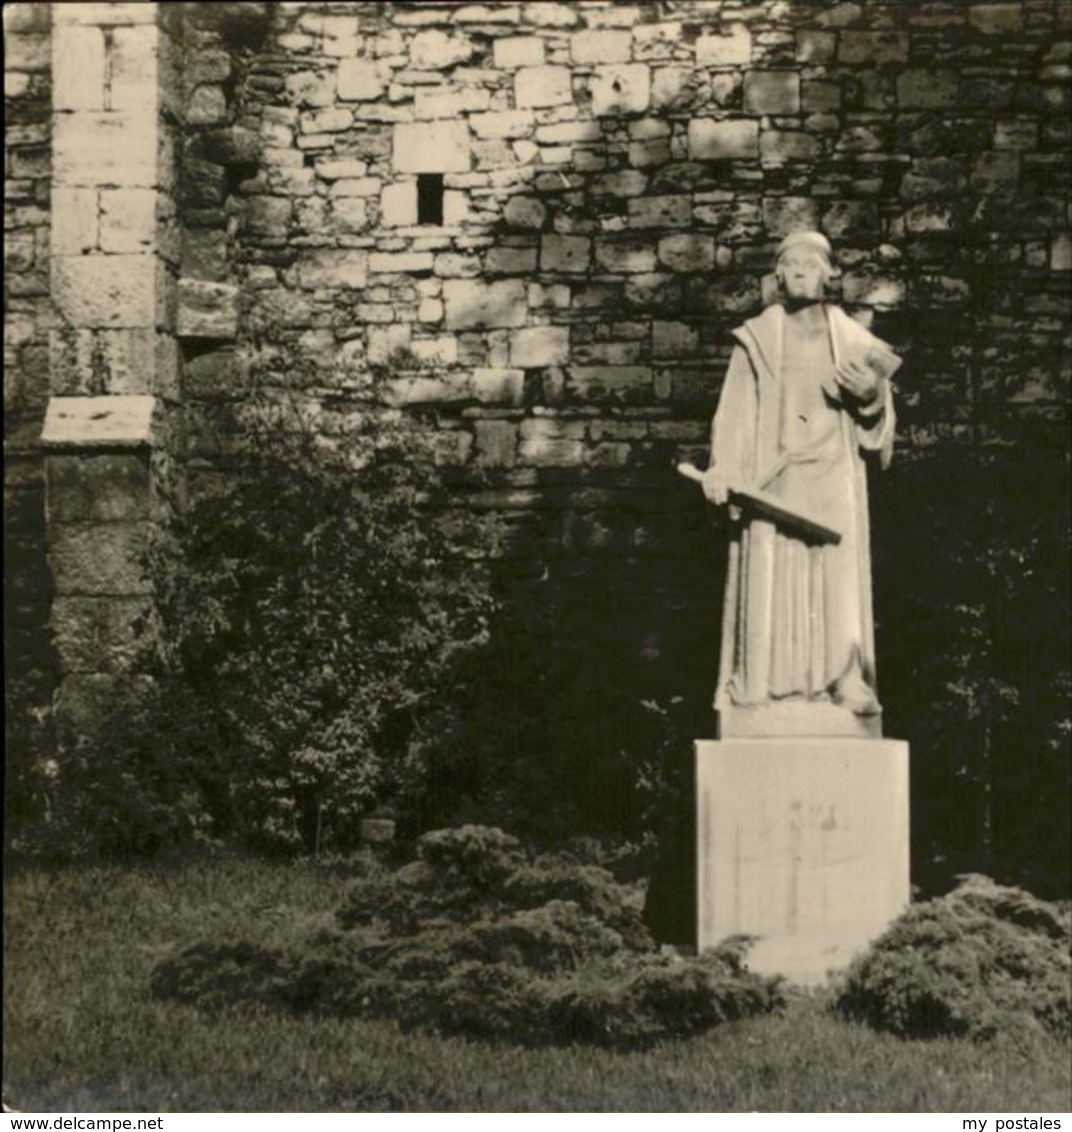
(27, 322)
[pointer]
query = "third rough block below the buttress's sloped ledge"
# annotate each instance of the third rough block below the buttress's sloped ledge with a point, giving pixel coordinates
(102, 634)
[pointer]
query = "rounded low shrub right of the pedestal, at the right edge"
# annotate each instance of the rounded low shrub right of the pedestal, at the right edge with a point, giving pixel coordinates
(983, 962)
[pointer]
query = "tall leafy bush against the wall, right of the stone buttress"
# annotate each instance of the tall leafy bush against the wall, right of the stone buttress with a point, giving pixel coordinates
(321, 598)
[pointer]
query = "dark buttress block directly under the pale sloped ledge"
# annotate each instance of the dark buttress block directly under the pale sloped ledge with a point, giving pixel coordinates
(99, 487)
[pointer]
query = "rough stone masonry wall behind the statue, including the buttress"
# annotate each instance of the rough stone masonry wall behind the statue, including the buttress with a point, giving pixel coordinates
(533, 226)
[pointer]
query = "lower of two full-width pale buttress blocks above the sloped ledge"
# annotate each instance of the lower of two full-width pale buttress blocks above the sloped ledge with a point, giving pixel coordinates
(106, 291)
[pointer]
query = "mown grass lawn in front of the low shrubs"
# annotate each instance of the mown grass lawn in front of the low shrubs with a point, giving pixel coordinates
(83, 1034)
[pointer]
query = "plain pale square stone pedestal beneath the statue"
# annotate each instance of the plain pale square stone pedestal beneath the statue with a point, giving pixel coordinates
(803, 843)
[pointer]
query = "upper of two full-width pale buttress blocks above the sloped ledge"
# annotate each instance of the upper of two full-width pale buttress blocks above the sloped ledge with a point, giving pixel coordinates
(107, 149)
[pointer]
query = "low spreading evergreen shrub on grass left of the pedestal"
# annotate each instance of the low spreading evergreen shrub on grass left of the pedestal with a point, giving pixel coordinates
(475, 939)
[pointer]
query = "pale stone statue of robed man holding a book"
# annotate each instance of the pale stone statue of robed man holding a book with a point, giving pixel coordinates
(807, 397)
